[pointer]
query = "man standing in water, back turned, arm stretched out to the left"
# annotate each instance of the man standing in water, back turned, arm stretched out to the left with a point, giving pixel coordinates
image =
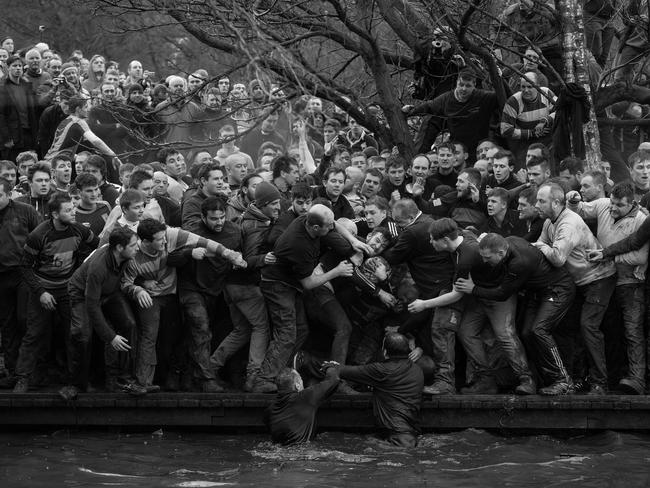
(397, 389)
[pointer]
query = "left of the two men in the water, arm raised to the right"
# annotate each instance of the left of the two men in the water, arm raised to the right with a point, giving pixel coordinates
(291, 418)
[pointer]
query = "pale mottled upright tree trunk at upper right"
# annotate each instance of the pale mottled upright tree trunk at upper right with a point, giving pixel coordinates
(575, 66)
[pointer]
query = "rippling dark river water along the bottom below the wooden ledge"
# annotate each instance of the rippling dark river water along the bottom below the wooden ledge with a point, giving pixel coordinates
(470, 458)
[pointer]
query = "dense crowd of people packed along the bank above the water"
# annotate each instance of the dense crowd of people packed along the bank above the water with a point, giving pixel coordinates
(192, 234)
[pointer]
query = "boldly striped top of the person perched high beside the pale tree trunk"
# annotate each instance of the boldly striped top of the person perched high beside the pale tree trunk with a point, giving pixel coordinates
(520, 117)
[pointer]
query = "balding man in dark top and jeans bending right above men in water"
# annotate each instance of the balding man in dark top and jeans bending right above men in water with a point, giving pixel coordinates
(295, 256)
